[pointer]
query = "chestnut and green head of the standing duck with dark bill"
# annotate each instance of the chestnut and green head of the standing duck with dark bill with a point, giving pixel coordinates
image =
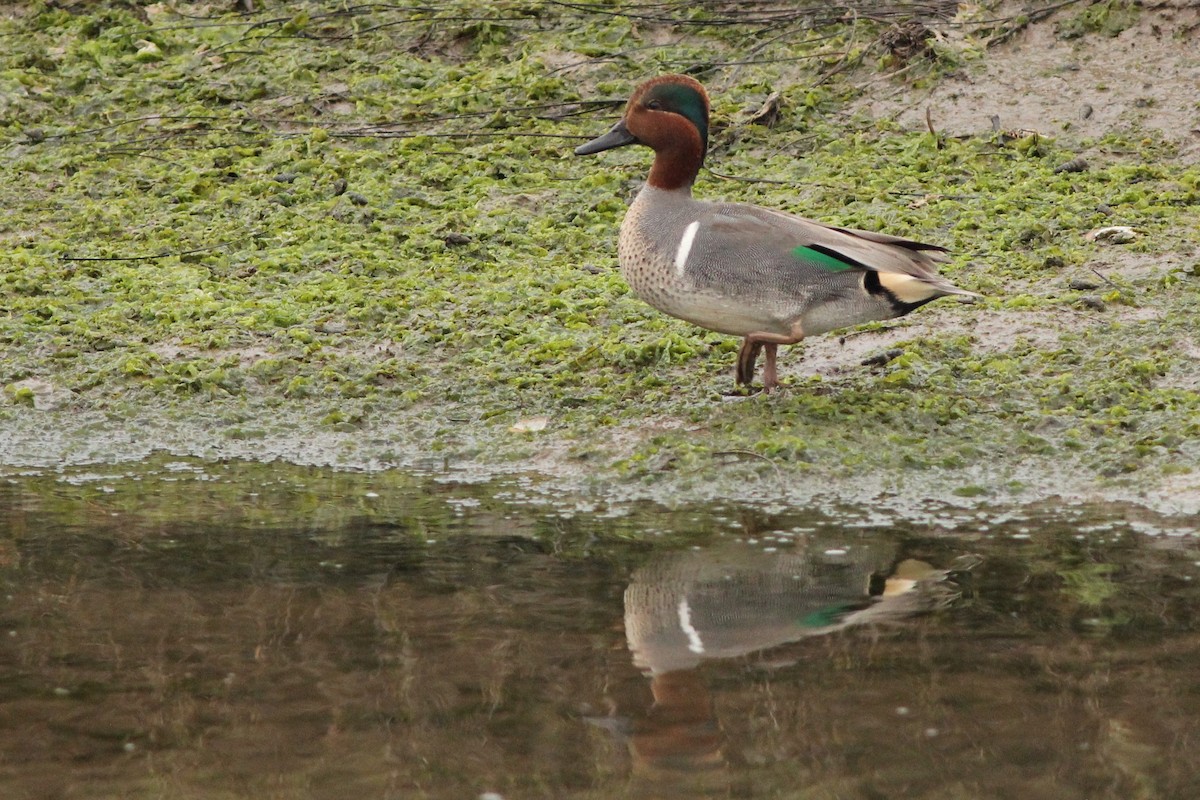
(670, 116)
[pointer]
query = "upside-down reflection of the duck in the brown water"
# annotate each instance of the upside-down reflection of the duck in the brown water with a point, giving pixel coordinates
(687, 607)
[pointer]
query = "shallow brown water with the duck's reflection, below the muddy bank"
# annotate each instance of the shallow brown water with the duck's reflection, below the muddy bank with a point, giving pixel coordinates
(188, 630)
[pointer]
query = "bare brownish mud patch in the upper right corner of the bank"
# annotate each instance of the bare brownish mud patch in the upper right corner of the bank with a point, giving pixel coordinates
(1070, 88)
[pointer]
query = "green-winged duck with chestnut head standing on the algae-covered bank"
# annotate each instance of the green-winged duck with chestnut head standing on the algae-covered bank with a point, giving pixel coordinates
(769, 276)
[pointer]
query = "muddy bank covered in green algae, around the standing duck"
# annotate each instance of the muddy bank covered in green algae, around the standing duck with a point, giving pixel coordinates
(355, 236)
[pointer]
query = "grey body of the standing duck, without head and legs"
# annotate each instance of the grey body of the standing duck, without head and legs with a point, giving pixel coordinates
(741, 269)
